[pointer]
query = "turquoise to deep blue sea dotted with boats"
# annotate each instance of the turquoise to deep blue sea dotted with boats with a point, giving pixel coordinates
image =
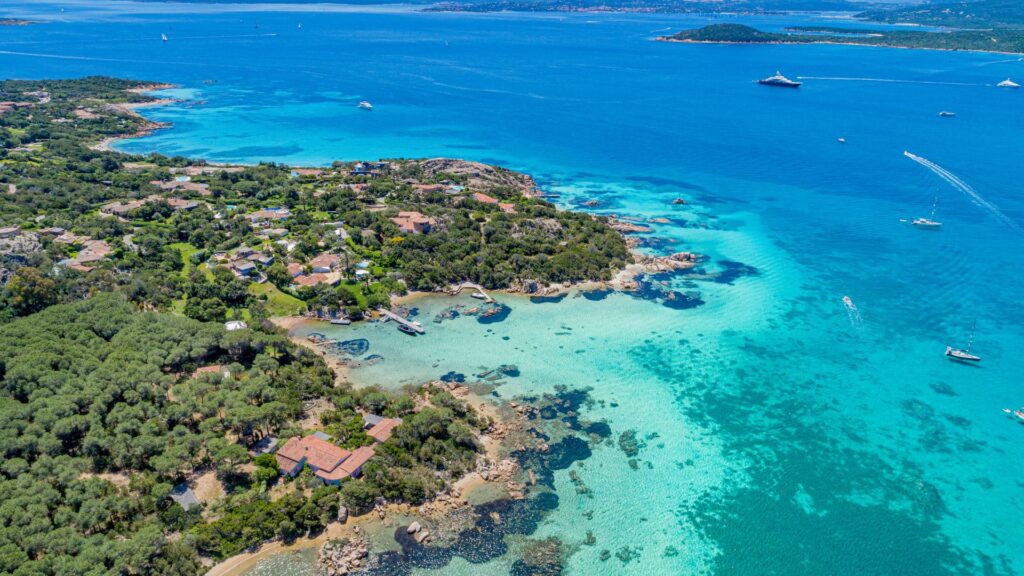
(780, 430)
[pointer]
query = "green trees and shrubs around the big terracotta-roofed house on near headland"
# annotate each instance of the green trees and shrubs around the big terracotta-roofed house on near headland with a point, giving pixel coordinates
(102, 414)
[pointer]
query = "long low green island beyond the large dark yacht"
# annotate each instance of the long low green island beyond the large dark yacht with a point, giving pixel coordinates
(1006, 40)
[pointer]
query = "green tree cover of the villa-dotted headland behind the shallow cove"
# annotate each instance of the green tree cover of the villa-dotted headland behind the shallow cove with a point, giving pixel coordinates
(177, 245)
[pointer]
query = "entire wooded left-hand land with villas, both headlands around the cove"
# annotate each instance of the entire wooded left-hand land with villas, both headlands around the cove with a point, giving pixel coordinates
(155, 421)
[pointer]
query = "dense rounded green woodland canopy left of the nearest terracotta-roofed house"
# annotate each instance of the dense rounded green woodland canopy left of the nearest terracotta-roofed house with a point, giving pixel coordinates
(96, 388)
